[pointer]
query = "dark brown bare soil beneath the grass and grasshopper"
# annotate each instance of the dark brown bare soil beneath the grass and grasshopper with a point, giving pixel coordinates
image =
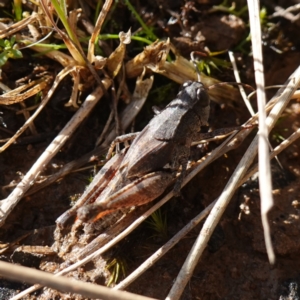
(235, 264)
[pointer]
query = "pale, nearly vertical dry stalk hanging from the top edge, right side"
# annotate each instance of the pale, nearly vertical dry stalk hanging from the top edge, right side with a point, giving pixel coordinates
(265, 181)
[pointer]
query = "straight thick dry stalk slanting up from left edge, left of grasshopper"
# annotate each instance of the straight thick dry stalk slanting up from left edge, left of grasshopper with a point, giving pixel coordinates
(11, 201)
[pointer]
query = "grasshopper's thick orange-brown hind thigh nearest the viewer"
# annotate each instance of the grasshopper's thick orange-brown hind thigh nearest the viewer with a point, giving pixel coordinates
(141, 191)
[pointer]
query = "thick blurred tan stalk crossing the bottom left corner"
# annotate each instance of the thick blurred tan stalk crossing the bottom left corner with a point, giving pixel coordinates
(89, 290)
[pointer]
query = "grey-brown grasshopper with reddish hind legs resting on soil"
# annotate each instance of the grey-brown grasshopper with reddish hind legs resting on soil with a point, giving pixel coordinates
(151, 162)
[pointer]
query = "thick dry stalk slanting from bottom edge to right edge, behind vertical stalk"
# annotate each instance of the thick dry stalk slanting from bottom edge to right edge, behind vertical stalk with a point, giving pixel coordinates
(217, 211)
